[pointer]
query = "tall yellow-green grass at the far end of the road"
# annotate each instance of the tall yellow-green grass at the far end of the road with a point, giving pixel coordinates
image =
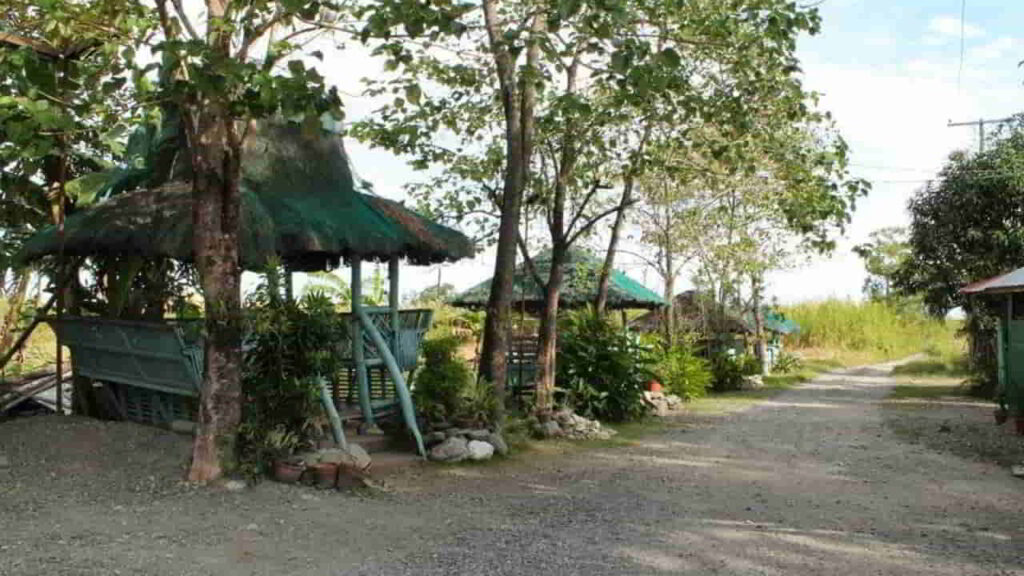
(864, 333)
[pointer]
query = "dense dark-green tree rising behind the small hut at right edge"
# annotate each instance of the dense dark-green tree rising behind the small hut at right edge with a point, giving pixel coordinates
(968, 225)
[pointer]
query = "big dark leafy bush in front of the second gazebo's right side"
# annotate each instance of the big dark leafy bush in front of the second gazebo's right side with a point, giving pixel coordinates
(603, 372)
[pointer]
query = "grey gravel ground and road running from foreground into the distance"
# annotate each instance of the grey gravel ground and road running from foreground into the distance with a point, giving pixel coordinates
(812, 482)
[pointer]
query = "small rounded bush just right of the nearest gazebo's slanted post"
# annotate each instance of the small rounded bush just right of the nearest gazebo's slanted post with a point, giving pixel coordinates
(443, 381)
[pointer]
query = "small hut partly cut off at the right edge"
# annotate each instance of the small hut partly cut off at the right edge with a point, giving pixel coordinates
(1007, 294)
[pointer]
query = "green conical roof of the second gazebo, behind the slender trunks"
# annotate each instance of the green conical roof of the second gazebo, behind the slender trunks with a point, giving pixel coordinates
(579, 287)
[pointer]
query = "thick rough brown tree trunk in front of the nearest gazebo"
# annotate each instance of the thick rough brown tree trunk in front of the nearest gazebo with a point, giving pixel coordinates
(217, 162)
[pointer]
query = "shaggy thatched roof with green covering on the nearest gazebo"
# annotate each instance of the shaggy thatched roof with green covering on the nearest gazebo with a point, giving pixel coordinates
(300, 203)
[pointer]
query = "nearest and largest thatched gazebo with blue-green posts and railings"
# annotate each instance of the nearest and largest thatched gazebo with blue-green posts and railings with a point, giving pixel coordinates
(300, 205)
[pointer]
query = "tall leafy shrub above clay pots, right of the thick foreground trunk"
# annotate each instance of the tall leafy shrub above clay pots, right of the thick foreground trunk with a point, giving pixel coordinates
(289, 349)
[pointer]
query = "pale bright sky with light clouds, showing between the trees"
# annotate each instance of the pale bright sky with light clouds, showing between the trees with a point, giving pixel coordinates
(893, 75)
